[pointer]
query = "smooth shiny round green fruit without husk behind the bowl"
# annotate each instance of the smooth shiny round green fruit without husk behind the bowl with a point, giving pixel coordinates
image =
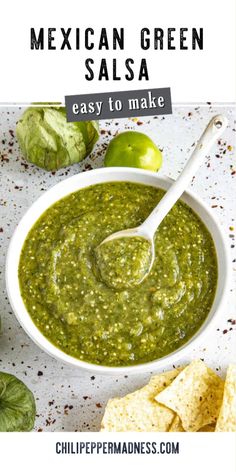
(133, 149)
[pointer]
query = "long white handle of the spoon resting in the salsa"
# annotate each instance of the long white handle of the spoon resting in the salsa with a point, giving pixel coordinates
(213, 131)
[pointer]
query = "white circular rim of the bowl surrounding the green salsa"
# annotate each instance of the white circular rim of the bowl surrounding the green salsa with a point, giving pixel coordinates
(21, 313)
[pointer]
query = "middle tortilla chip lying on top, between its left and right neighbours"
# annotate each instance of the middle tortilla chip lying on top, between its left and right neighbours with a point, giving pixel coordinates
(195, 395)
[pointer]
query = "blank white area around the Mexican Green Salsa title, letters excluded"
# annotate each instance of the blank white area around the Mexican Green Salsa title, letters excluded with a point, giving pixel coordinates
(194, 76)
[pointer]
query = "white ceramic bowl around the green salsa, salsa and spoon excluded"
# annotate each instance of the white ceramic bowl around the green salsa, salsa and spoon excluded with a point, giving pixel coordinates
(73, 184)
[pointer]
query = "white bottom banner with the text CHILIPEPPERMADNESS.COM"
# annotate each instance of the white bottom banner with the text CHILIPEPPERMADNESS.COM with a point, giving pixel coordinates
(114, 452)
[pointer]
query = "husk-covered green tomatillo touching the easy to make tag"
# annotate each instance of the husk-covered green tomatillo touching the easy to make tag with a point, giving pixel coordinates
(49, 141)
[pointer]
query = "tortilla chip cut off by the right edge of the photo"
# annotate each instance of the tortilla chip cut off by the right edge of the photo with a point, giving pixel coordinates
(227, 416)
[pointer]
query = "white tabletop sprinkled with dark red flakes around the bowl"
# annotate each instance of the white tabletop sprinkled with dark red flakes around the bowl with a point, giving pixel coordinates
(68, 399)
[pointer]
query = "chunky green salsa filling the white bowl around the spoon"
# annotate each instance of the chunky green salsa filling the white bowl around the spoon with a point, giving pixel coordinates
(65, 290)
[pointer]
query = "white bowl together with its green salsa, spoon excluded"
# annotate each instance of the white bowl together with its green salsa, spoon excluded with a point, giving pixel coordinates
(87, 322)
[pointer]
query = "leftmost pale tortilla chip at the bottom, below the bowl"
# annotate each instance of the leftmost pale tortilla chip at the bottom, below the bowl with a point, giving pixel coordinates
(139, 411)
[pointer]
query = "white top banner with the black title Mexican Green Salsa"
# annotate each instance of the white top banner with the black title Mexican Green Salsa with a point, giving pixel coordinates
(194, 74)
